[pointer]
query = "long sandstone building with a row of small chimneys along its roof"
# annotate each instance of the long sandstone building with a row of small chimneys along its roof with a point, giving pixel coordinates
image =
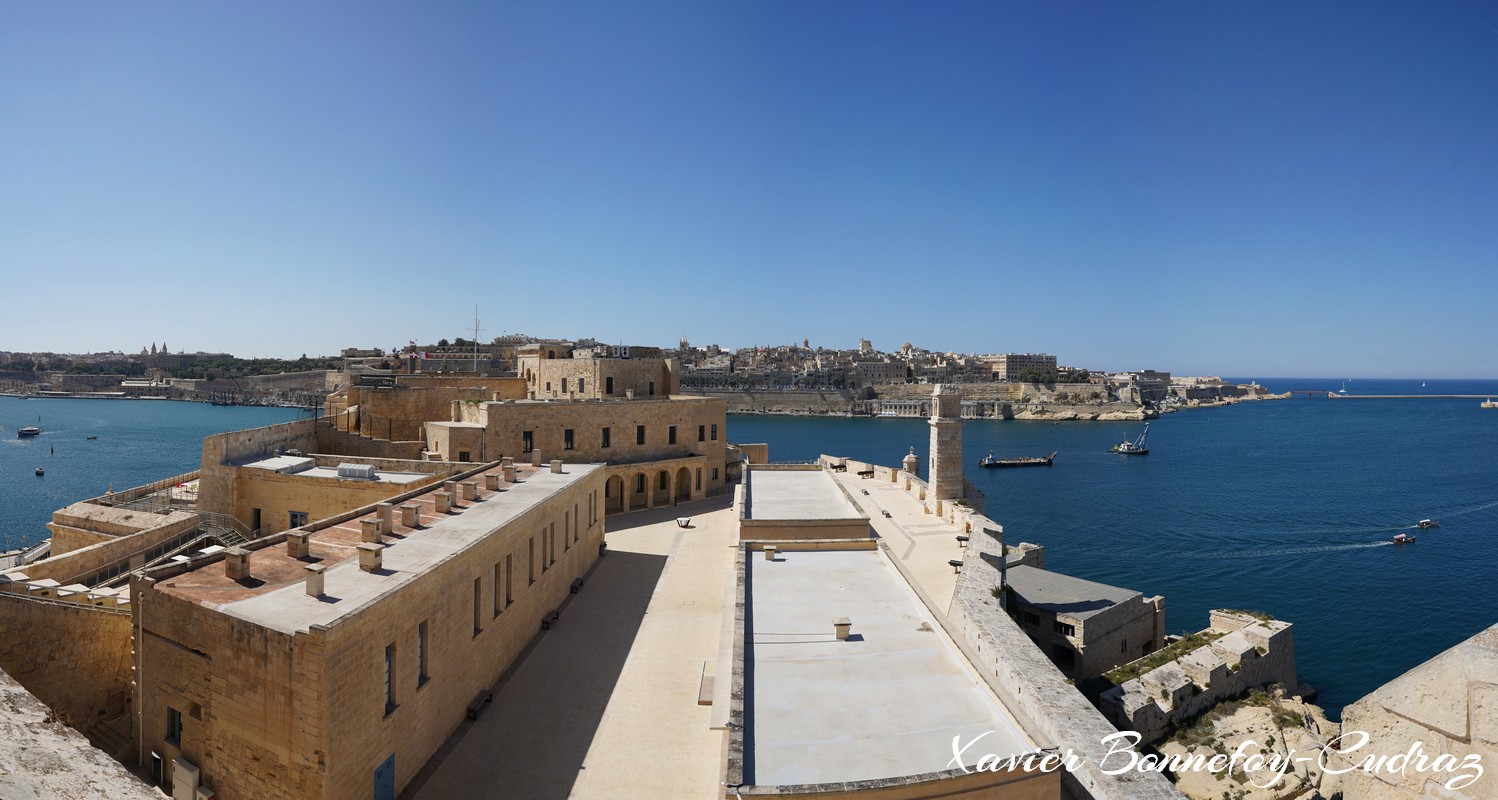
(332, 661)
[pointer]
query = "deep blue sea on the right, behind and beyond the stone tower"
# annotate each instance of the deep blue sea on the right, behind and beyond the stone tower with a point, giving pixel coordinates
(1283, 507)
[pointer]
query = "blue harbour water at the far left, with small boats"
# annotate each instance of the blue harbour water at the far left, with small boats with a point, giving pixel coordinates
(139, 443)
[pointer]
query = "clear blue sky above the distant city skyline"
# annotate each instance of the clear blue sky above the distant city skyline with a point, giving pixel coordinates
(1276, 188)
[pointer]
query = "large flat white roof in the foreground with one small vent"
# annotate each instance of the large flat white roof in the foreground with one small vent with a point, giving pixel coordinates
(885, 703)
